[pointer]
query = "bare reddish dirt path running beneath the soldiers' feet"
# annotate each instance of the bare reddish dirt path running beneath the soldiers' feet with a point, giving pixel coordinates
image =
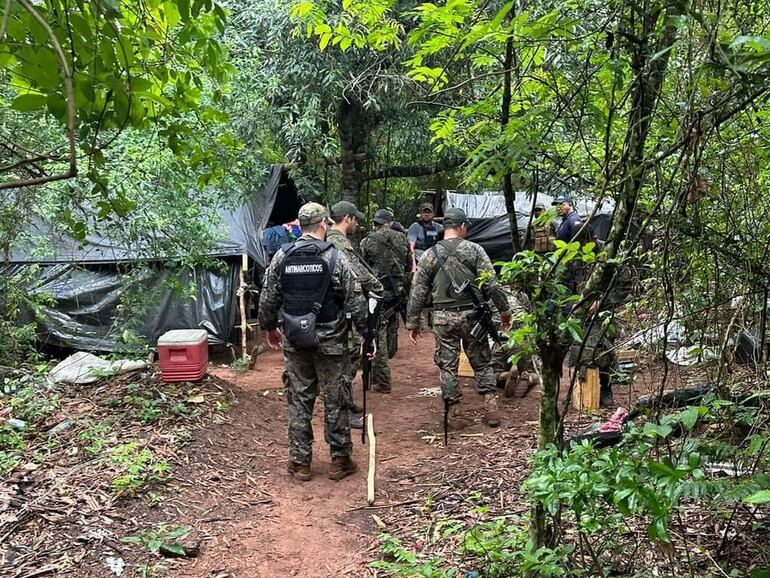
(255, 520)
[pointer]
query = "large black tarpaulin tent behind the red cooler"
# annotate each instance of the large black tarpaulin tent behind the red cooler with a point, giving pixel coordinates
(84, 276)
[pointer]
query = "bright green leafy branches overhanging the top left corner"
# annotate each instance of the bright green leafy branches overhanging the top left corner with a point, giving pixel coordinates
(98, 68)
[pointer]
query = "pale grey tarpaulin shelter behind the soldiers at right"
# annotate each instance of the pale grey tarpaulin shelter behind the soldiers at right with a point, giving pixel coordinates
(489, 225)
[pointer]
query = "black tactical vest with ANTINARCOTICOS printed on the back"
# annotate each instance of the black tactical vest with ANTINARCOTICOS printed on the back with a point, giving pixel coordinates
(303, 277)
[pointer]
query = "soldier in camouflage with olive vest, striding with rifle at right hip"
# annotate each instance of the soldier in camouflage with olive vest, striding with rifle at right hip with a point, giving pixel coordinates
(445, 272)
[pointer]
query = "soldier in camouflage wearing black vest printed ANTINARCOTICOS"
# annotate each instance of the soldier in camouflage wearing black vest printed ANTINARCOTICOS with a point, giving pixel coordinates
(324, 365)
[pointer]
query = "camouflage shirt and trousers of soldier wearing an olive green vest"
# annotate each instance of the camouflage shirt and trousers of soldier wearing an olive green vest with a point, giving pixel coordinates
(453, 315)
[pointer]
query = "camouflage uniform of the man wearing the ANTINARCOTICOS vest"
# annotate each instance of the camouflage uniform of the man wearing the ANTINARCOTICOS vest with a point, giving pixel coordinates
(307, 370)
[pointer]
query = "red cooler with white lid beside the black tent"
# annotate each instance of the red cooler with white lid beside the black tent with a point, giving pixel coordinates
(183, 354)
